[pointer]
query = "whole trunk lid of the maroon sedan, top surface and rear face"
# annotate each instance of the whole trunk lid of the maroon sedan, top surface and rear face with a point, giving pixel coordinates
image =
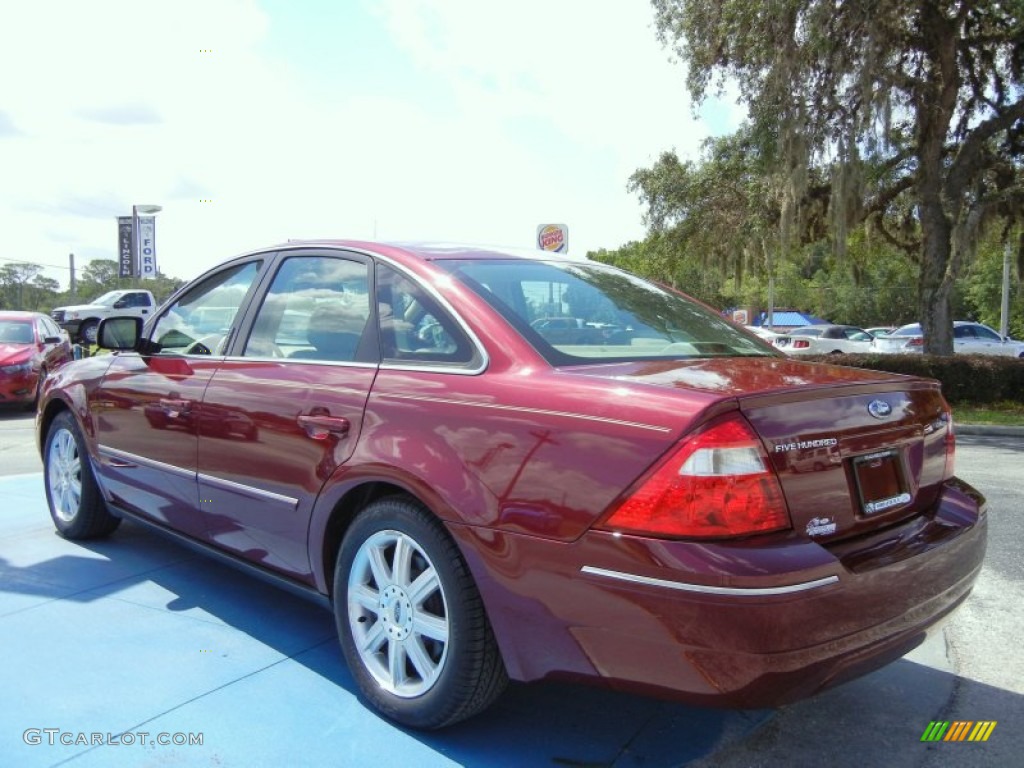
(855, 450)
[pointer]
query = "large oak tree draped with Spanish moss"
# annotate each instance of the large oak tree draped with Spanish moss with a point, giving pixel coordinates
(931, 93)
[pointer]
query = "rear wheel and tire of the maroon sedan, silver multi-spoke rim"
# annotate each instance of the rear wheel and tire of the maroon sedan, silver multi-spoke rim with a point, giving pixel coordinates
(428, 661)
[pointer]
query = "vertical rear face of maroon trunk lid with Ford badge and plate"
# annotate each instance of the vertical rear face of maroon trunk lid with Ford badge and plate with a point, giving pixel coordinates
(857, 461)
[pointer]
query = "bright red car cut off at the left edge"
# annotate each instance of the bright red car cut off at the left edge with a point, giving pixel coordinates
(31, 348)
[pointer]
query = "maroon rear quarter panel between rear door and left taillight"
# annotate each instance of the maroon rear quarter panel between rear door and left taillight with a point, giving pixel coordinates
(535, 452)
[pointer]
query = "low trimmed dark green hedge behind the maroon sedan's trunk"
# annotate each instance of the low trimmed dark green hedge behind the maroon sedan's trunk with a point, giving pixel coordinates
(977, 379)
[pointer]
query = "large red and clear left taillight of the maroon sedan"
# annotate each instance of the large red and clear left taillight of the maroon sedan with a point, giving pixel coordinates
(717, 484)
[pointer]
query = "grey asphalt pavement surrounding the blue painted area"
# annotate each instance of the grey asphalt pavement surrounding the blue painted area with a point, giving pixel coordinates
(972, 670)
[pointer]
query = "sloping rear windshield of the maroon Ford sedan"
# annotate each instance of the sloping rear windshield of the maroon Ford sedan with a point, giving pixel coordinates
(578, 313)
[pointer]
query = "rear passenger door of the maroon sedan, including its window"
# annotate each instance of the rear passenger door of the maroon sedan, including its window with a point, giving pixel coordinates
(285, 410)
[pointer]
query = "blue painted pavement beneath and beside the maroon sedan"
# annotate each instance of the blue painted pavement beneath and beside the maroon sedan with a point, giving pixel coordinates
(136, 652)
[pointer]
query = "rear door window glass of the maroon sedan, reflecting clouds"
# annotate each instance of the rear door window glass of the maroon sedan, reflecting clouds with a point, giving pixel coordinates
(317, 310)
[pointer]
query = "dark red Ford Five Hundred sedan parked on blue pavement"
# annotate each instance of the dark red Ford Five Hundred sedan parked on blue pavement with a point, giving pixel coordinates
(676, 509)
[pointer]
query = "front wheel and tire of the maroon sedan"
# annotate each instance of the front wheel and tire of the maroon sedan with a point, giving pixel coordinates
(76, 504)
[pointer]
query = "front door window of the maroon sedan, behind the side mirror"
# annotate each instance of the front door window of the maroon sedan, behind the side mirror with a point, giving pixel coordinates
(199, 323)
